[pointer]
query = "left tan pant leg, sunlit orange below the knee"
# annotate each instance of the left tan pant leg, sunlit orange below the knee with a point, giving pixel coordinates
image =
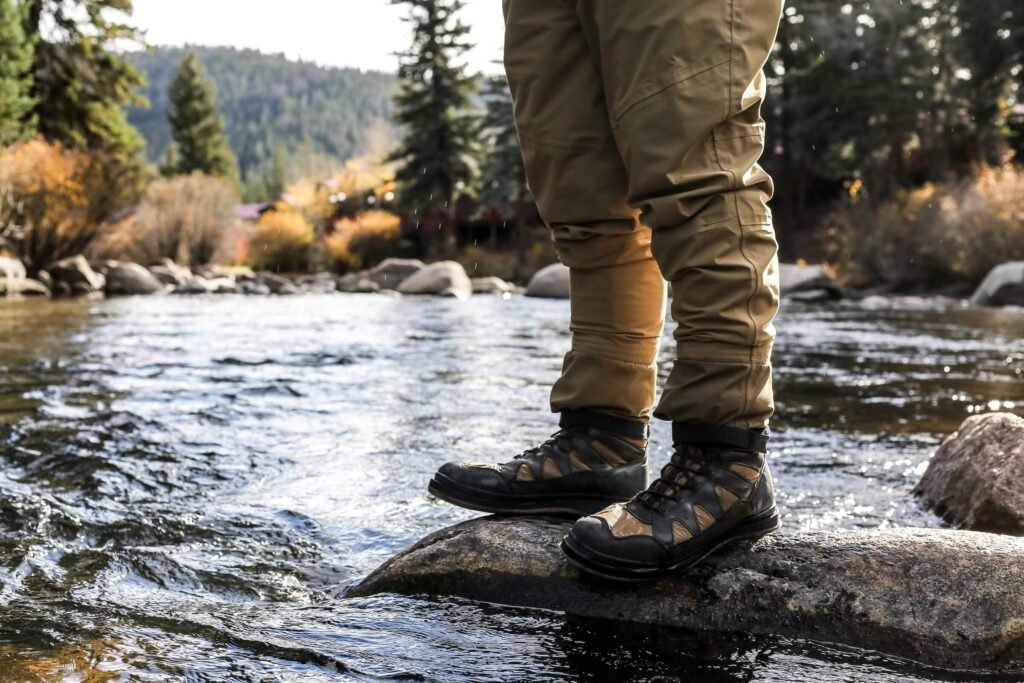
(581, 187)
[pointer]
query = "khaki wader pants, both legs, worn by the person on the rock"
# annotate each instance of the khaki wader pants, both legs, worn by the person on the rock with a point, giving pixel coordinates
(641, 124)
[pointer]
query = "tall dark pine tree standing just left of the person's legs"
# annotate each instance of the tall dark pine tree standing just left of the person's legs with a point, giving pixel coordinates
(434, 107)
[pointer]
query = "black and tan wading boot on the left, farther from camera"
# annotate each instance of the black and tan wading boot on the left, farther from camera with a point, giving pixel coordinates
(593, 461)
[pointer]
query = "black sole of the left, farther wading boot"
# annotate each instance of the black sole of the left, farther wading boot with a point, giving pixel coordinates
(563, 505)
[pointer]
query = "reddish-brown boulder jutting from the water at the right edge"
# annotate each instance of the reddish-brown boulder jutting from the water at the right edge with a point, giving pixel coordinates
(976, 479)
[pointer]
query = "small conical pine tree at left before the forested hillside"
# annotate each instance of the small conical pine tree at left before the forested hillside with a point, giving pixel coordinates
(196, 123)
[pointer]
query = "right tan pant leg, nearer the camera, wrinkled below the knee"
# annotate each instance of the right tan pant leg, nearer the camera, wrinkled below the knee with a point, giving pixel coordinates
(685, 87)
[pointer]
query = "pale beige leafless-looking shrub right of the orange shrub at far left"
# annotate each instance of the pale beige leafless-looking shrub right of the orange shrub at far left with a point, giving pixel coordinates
(184, 219)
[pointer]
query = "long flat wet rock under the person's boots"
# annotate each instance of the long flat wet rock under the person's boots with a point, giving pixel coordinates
(943, 597)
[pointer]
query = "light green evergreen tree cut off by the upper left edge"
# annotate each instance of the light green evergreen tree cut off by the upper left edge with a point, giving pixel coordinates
(16, 78)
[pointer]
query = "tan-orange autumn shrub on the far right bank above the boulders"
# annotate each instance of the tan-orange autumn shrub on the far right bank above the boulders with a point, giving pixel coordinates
(937, 236)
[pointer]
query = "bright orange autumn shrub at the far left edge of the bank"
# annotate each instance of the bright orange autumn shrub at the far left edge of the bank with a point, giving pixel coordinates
(55, 202)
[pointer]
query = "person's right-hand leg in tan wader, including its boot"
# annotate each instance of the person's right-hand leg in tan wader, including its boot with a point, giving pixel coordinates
(685, 86)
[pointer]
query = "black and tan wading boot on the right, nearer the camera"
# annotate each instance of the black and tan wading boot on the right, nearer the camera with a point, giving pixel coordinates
(715, 491)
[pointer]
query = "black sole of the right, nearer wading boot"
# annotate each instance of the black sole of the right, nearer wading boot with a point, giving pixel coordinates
(602, 566)
